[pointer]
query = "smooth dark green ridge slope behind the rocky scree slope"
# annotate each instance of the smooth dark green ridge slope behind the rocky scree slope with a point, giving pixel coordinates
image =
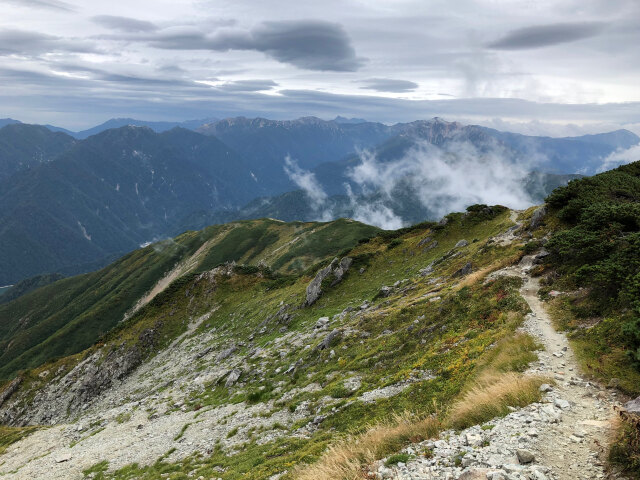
(70, 315)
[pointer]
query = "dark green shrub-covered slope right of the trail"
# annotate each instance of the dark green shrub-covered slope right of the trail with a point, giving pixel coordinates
(594, 227)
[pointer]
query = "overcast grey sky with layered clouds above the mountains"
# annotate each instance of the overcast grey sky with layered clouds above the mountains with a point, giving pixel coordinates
(556, 67)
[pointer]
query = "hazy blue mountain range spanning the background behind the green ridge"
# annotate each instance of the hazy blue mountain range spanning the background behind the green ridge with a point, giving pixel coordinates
(70, 205)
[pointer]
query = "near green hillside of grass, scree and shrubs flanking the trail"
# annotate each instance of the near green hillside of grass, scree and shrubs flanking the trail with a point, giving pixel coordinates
(385, 354)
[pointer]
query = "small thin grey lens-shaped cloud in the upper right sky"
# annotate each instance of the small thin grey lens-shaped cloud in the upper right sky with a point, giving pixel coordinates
(547, 35)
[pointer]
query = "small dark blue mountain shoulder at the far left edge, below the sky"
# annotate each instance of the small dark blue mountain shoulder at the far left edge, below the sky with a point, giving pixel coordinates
(26, 146)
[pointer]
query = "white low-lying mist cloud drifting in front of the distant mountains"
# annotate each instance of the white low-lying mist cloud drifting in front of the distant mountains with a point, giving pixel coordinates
(434, 180)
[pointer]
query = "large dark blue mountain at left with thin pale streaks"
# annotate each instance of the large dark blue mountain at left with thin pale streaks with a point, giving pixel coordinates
(111, 193)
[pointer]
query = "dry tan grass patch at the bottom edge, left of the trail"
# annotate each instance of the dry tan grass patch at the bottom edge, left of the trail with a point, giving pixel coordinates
(347, 459)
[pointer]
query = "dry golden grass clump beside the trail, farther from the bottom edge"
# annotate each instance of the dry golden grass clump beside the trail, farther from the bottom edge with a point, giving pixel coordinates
(492, 396)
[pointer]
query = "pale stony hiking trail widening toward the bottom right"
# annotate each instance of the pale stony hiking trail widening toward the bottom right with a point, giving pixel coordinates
(561, 438)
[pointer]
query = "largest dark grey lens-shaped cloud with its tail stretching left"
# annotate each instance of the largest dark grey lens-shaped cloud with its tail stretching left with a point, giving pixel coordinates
(307, 44)
